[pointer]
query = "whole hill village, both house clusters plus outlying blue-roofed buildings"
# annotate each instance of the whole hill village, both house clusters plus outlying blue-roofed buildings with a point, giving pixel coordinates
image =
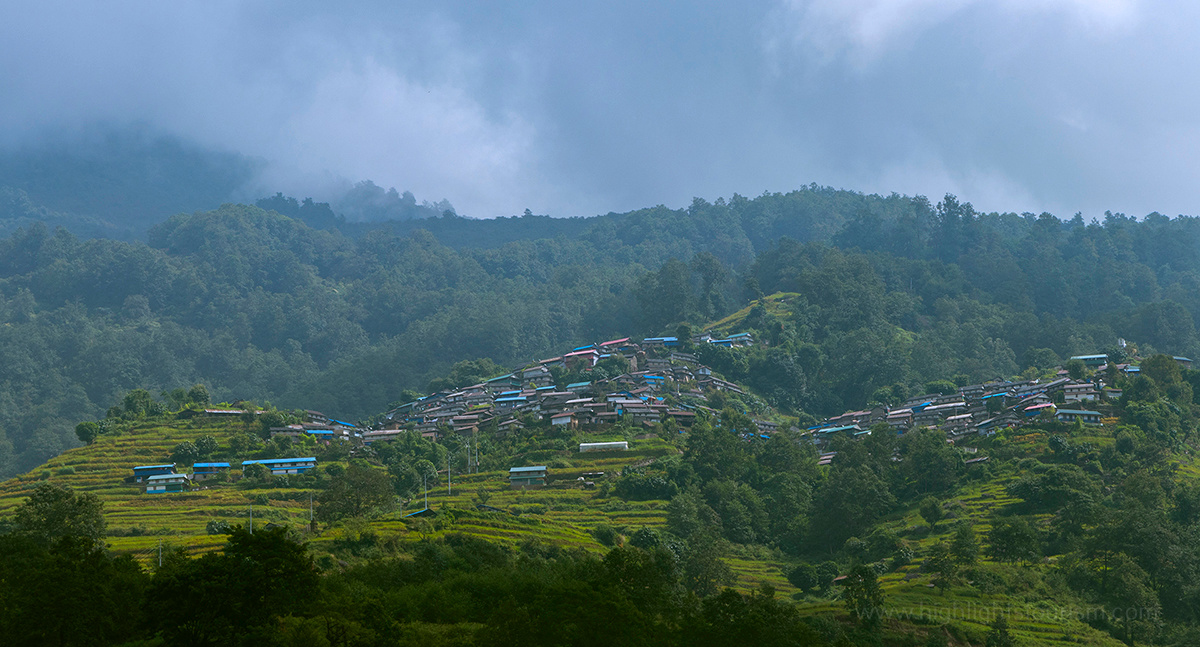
(665, 387)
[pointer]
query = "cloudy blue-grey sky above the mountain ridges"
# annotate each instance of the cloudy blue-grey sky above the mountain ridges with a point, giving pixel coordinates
(584, 109)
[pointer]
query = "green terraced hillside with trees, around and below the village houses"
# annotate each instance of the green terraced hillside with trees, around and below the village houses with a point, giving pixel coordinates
(1025, 520)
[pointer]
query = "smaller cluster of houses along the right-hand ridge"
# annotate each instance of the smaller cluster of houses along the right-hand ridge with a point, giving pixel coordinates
(986, 409)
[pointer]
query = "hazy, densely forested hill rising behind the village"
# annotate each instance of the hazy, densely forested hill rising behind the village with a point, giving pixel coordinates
(893, 292)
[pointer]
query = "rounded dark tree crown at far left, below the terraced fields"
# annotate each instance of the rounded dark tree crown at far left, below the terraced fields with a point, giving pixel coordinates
(55, 512)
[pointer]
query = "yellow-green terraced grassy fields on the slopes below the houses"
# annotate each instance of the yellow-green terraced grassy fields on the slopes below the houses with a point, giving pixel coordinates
(562, 514)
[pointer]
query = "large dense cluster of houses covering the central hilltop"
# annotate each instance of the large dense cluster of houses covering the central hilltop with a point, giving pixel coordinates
(657, 369)
